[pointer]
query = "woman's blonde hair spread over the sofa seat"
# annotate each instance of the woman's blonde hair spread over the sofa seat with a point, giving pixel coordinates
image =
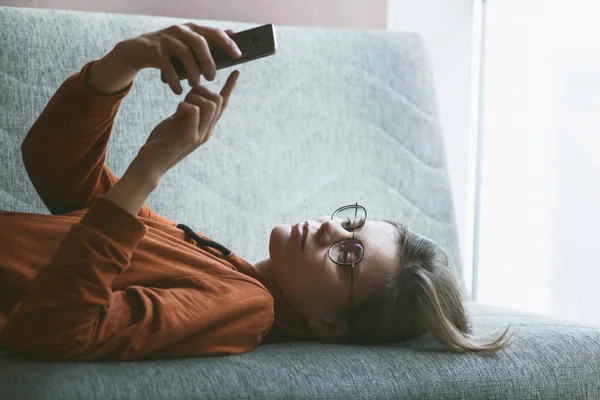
(423, 297)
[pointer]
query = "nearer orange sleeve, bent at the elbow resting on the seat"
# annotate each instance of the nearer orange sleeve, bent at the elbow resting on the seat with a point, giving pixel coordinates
(70, 311)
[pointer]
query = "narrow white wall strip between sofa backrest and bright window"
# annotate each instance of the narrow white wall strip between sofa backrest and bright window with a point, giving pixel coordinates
(446, 29)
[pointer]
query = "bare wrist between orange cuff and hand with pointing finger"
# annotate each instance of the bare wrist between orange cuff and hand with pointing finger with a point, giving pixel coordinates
(132, 190)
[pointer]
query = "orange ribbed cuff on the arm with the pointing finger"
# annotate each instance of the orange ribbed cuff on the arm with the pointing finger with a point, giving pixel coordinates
(114, 222)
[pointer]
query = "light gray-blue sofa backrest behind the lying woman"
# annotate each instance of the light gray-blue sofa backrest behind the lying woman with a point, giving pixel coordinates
(335, 117)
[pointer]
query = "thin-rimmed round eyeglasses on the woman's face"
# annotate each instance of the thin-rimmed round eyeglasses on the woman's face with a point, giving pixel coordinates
(349, 252)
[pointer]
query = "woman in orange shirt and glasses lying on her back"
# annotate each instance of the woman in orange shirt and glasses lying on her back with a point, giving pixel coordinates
(105, 277)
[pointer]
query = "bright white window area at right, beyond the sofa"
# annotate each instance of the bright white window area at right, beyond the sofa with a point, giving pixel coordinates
(539, 213)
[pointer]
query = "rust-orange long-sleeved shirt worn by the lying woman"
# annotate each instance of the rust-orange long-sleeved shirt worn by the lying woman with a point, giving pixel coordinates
(94, 282)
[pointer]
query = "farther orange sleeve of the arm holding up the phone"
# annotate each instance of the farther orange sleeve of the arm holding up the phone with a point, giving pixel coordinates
(65, 149)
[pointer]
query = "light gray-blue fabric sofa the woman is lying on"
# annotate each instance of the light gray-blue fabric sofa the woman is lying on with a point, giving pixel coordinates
(336, 116)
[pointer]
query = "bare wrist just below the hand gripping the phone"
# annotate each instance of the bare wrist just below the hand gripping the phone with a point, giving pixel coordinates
(110, 74)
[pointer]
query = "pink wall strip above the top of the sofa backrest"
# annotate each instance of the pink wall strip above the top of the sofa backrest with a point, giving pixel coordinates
(368, 14)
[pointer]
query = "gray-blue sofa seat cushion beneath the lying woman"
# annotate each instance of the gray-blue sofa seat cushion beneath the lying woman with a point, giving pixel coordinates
(550, 359)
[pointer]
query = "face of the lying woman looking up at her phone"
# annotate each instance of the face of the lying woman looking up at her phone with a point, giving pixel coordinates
(315, 285)
